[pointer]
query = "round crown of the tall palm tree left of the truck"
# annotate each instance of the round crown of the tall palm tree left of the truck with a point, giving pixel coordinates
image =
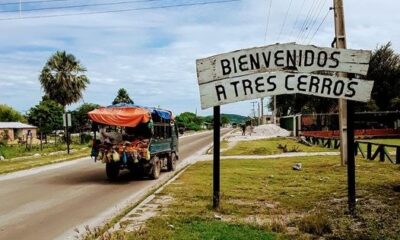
(63, 79)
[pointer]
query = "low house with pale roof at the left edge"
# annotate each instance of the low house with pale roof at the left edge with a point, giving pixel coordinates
(15, 130)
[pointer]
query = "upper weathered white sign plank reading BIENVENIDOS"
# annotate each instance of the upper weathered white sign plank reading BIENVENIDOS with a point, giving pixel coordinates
(279, 57)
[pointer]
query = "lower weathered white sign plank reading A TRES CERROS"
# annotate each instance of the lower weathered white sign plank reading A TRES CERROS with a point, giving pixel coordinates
(268, 84)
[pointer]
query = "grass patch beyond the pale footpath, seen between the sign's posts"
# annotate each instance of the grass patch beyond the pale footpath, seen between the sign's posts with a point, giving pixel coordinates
(270, 146)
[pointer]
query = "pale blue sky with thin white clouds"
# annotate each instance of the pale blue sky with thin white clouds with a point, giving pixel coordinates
(152, 52)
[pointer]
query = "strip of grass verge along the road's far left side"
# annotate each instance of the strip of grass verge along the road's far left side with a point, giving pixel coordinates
(7, 166)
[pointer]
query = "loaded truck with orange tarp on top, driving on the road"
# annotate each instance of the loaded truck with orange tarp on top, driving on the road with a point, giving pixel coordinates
(143, 140)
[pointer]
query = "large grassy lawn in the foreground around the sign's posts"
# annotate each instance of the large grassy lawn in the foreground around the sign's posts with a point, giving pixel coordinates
(259, 197)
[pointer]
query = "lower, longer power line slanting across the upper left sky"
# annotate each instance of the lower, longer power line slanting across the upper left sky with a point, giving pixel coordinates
(120, 10)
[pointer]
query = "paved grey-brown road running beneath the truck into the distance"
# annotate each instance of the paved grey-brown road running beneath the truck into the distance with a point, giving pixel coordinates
(49, 204)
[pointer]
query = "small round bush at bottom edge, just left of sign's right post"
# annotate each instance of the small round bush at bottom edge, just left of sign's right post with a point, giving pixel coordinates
(316, 223)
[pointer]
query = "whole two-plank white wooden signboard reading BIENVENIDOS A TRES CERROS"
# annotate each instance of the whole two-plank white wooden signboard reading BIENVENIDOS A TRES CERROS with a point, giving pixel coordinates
(282, 69)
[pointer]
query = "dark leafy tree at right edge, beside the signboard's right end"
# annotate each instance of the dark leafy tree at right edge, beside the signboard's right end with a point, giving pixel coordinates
(384, 68)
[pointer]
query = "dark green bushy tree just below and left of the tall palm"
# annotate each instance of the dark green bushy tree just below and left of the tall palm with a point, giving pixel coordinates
(47, 115)
